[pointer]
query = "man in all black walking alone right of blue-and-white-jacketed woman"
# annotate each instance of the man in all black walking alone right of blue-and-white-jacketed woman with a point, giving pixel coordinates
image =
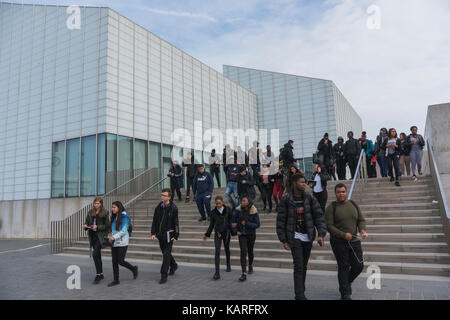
(165, 227)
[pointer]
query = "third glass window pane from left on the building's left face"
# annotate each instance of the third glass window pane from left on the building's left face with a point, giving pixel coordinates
(87, 187)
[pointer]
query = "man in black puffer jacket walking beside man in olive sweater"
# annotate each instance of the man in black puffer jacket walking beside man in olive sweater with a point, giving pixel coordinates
(299, 215)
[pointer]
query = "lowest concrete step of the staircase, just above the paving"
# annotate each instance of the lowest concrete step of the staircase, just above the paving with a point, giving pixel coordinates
(328, 265)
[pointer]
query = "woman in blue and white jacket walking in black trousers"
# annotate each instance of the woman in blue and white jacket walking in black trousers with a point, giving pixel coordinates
(119, 240)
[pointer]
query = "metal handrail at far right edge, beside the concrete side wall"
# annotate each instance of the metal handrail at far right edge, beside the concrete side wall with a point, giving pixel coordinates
(444, 209)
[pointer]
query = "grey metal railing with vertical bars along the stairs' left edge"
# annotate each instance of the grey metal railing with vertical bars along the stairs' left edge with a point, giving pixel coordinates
(64, 232)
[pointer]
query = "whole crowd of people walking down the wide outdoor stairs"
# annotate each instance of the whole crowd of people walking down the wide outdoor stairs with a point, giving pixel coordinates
(301, 216)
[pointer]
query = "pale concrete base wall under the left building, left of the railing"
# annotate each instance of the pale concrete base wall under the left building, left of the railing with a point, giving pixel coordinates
(31, 218)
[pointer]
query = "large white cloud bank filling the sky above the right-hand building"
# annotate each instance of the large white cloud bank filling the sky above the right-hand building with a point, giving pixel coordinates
(390, 75)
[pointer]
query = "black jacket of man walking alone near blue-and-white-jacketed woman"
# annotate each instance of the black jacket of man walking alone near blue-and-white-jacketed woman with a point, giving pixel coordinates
(165, 218)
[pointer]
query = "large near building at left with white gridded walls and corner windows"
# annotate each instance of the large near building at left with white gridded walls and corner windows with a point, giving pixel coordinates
(89, 99)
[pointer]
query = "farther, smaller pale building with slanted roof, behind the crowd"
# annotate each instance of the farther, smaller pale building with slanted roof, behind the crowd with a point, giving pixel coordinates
(302, 108)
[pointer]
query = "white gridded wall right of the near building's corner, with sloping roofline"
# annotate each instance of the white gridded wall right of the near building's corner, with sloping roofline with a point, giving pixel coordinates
(154, 88)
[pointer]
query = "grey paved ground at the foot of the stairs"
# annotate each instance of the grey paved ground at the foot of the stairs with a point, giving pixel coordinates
(35, 274)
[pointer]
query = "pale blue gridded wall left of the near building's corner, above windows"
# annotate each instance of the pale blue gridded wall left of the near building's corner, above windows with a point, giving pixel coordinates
(52, 87)
